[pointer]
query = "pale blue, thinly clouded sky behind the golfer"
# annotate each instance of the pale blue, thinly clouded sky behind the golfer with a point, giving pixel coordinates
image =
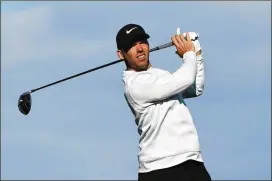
(83, 128)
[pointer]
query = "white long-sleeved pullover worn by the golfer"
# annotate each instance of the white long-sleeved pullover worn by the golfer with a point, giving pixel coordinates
(156, 98)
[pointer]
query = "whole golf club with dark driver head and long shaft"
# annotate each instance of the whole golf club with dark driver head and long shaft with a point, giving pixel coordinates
(25, 102)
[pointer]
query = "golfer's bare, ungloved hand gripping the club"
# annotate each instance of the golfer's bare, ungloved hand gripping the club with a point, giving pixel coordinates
(183, 45)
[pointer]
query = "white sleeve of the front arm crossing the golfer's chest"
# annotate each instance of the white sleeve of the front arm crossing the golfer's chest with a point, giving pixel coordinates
(147, 88)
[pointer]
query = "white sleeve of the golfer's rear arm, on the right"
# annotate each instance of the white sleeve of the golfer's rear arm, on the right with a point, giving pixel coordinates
(198, 87)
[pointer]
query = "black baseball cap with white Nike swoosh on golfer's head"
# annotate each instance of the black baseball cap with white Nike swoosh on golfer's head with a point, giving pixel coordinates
(128, 34)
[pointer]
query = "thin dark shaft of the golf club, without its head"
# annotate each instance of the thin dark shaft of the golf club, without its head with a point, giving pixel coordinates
(99, 67)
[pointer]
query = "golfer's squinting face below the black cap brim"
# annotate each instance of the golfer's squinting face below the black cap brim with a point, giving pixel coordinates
(137, 57)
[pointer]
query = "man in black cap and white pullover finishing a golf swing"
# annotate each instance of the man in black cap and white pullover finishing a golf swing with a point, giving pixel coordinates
(169, 145)
